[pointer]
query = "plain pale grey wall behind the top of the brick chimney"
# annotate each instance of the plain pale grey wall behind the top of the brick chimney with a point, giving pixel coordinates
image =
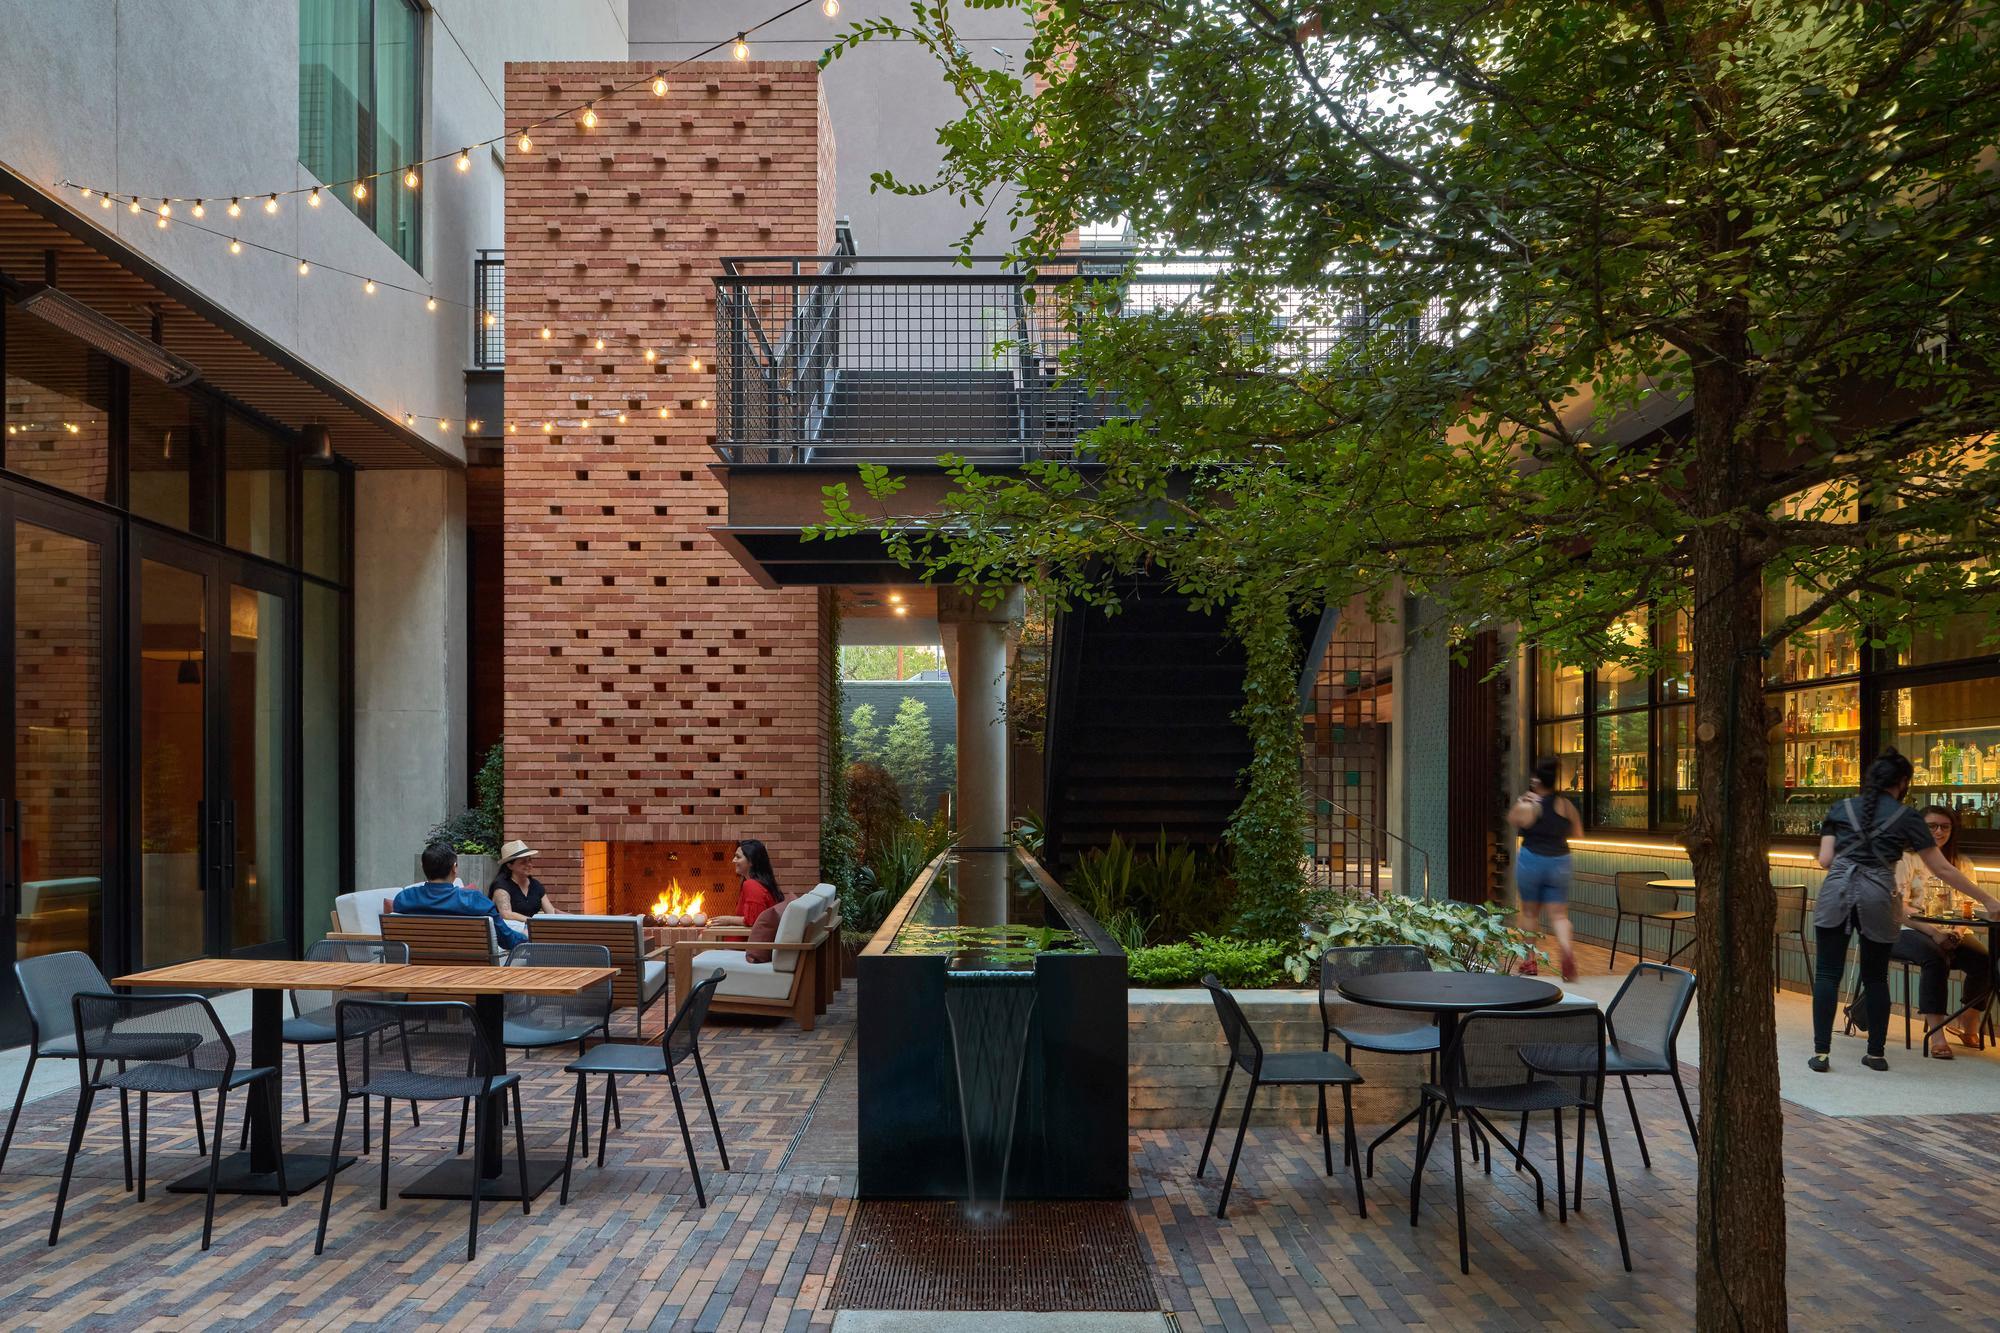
(887, 103)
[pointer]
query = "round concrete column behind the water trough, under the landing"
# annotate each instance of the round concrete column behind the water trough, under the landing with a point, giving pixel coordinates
(979, 680)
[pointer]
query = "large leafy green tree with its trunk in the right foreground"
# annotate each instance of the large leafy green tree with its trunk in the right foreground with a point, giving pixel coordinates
(1631, 309)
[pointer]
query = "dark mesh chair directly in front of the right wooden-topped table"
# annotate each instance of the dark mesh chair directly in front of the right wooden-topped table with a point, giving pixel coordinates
(447, 1060)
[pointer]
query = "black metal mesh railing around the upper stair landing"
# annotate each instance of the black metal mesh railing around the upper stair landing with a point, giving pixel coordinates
(901, 359)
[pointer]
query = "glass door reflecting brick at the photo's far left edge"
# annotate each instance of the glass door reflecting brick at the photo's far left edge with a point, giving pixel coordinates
(57, 816)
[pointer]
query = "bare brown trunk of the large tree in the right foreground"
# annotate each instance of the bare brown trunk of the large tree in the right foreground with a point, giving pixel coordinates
(1739, 1240)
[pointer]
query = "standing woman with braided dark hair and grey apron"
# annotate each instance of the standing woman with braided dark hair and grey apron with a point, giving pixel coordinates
(1861, 844)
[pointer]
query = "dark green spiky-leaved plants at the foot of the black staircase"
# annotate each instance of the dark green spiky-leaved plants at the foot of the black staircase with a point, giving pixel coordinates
(1165, 892)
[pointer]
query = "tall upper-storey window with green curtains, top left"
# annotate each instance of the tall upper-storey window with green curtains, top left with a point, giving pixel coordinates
(361, 111)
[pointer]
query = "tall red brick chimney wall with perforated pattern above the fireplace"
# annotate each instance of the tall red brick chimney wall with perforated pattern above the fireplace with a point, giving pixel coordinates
(653, 692)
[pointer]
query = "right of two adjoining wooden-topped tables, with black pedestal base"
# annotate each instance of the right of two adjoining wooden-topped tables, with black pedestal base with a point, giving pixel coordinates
(489, 988)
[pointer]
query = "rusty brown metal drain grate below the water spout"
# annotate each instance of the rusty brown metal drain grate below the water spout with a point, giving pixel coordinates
(1041, 1258)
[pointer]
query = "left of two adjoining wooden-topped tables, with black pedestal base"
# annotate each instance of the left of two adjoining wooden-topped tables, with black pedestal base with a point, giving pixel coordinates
(267, 980)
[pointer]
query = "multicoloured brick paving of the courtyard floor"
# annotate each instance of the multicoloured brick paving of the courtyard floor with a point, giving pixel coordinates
(1891, 1226)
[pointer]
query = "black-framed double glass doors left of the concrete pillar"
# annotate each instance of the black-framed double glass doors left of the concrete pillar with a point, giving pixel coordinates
(213, 752)
